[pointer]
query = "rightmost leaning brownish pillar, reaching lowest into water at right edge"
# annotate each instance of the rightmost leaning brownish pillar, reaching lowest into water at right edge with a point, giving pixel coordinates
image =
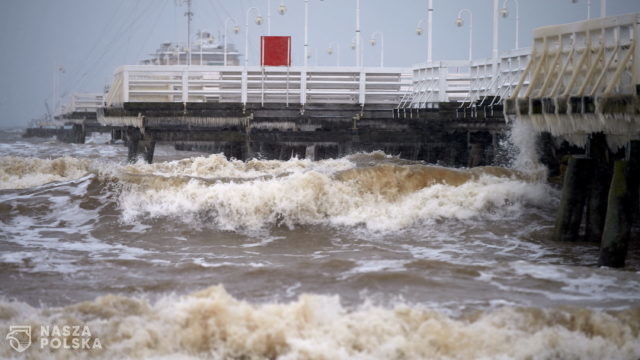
(617, 228)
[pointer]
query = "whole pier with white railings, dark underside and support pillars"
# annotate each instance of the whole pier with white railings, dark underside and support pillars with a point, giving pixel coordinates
(578, 86)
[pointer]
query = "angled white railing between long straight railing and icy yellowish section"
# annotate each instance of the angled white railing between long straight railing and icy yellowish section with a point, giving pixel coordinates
(469, 83)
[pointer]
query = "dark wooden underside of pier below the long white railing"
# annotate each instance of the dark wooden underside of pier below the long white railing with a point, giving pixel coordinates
(443, 135)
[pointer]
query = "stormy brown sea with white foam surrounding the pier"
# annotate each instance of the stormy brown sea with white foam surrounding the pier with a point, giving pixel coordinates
(368, 256)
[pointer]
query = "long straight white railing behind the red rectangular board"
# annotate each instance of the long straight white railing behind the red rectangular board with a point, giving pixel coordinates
(254, 84)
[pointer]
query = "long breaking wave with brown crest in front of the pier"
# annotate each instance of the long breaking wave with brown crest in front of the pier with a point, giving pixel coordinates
(233, 195)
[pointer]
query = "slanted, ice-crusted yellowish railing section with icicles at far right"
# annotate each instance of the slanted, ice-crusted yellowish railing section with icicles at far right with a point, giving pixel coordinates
(583, 78)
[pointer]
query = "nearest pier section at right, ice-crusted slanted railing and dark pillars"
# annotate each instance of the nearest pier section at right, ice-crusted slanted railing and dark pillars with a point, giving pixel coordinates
(583, 86)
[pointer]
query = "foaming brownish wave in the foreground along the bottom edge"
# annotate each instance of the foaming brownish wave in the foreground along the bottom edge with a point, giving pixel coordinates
(213, 324)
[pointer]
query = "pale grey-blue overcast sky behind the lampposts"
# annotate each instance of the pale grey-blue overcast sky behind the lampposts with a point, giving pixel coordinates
(90, 38)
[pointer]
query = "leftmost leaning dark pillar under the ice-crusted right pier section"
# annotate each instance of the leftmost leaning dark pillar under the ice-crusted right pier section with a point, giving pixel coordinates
(574, 196)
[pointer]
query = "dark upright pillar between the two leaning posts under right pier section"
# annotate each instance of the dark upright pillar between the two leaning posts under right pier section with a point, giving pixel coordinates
(600, 180)
